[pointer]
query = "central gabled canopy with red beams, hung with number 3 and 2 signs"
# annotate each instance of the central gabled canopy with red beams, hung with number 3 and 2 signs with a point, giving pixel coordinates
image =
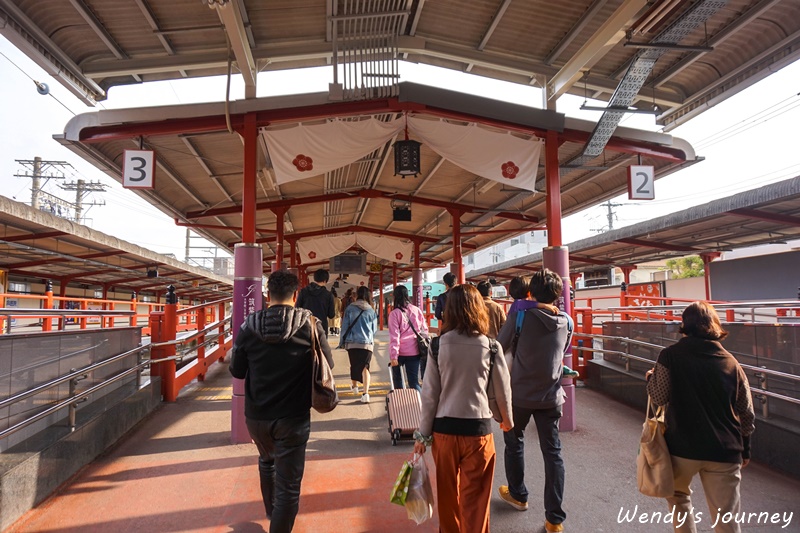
(198, 178)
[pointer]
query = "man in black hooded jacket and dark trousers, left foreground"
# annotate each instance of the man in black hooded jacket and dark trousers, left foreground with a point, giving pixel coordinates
(273, 355)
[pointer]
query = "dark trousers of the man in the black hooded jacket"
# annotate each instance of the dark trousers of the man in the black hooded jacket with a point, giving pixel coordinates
(281, 447)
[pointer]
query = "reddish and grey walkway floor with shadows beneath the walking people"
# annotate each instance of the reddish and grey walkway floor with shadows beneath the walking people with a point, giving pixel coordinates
(178, 472)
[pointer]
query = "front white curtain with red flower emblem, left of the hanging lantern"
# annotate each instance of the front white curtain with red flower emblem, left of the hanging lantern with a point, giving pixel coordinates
(305, 151)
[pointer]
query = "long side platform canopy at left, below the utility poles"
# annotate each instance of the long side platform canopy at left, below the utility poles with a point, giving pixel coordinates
(38, 245)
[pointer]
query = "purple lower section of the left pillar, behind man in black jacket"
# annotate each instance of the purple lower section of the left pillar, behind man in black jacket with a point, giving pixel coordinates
(247, 273)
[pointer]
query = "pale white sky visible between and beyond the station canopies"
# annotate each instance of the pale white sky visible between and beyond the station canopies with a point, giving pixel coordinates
(748, 141)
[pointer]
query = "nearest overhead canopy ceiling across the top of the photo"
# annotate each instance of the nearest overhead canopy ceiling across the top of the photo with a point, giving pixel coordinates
(683, 56)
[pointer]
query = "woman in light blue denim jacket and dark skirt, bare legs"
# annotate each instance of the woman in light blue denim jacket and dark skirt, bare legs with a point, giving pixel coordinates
(359, 325)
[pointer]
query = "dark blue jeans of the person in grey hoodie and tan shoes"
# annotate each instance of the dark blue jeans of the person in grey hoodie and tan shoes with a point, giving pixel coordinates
(546, 421)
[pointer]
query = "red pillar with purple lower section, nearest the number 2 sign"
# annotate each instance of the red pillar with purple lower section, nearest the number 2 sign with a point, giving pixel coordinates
(556, 258)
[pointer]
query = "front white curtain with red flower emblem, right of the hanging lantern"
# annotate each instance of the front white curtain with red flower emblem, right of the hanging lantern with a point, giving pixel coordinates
(495, 156)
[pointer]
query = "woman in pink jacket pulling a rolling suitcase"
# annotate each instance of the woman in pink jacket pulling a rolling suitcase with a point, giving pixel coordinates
(404, 320)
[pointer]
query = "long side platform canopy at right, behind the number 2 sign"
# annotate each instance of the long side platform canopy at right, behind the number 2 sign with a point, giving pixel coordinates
(766, 215)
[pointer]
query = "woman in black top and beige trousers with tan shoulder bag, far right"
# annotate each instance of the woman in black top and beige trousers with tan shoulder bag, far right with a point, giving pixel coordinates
(709, 417)
